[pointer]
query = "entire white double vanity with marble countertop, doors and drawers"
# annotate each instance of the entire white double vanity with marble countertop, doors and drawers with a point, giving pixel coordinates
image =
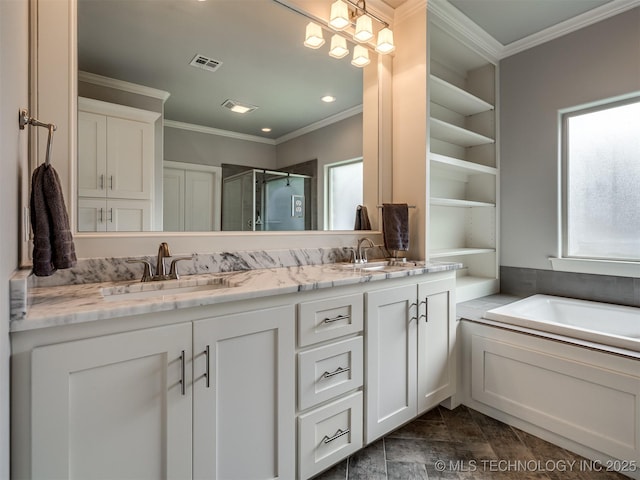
(275, 372)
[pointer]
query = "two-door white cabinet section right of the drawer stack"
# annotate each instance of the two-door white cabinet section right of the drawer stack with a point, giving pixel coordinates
(410, 352)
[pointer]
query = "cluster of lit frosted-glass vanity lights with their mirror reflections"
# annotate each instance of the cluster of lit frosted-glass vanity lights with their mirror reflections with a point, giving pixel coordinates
(345, 14)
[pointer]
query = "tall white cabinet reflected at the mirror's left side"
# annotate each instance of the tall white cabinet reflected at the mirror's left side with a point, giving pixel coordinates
(115, 166)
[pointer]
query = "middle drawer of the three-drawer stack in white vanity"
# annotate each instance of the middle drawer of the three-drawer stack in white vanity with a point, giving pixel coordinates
(328, 371)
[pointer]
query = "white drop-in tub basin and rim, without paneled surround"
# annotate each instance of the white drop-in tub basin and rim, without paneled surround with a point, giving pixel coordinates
(600, 323)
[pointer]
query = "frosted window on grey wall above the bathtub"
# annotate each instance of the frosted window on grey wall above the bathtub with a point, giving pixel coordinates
(601, 179)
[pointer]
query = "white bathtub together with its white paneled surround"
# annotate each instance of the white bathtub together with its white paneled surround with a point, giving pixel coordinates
(565, 370)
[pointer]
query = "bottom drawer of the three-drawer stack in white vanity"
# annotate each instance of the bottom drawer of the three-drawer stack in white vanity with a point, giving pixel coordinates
(329, 434)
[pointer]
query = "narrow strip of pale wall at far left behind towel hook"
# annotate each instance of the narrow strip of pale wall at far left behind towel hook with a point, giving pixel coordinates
(14, 52)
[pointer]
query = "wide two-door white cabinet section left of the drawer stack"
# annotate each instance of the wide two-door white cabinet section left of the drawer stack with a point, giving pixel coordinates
(206, 398)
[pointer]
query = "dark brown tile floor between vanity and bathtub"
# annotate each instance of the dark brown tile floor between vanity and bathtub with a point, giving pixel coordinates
(463, 444)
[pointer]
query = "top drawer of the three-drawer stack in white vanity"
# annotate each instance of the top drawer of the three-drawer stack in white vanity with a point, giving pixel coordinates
(330, 318)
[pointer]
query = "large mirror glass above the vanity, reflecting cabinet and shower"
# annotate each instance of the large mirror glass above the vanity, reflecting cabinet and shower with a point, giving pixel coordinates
(159, 147)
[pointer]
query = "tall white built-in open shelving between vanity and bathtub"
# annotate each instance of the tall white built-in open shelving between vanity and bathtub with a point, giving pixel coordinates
(463, 162)
